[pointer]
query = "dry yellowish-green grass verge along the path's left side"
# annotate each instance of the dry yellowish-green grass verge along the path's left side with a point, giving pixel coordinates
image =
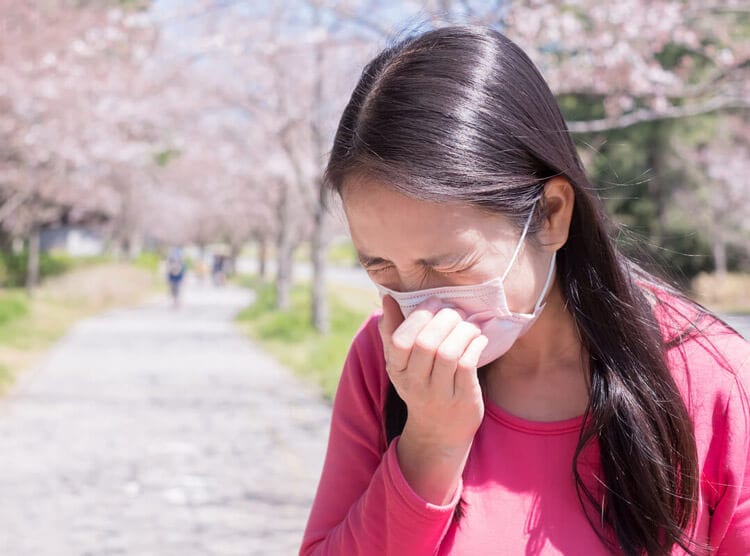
(28, 326)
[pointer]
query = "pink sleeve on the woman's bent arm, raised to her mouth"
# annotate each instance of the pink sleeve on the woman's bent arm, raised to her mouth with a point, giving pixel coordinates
(363, 505)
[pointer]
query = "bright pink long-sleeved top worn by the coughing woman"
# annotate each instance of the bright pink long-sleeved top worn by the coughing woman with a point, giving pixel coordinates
(518, 484)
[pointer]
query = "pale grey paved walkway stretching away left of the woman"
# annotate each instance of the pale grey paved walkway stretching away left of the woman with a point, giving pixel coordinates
(159, 432)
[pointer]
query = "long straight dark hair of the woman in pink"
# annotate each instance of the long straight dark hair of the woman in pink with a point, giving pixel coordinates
(461, 114)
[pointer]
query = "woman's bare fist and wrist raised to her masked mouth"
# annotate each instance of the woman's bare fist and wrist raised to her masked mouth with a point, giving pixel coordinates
(431, 359)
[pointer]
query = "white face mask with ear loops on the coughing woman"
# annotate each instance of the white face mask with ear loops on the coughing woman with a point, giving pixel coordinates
(485, 305)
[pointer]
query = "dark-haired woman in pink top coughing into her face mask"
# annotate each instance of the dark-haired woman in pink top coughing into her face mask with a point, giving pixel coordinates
(526, 389)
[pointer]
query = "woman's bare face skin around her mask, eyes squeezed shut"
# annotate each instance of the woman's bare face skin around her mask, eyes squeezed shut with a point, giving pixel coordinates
(406, 244)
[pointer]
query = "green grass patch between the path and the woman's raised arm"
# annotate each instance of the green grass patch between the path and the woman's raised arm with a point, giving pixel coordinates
(290, 337)
